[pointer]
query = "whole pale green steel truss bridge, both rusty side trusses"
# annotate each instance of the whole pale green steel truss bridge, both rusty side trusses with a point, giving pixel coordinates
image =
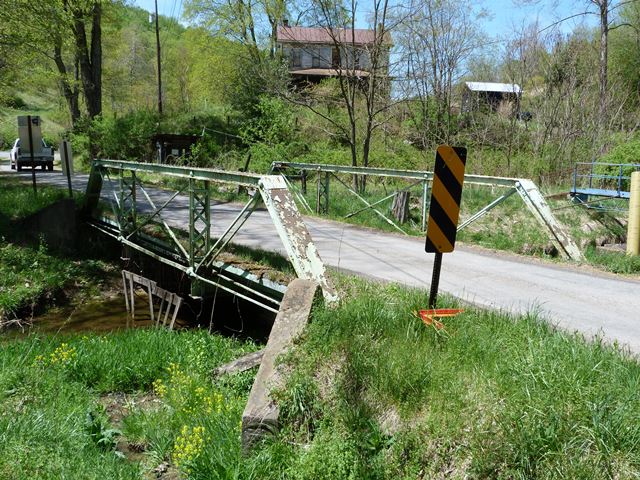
(139, 222)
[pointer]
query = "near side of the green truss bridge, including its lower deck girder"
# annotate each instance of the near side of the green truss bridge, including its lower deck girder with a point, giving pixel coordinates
(138, 222)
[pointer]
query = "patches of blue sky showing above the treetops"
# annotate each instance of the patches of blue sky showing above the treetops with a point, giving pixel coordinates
(503, 15)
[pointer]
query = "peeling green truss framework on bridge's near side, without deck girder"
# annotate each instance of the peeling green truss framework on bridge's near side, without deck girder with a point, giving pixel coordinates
(273, 191)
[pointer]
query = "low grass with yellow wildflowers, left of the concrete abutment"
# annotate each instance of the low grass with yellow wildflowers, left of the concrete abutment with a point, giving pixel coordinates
(54, 424)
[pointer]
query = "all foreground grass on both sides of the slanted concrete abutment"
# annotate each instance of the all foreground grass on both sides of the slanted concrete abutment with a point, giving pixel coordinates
(373, 394)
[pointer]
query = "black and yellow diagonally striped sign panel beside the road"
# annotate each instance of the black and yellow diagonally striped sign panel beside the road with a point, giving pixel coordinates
(448, 177)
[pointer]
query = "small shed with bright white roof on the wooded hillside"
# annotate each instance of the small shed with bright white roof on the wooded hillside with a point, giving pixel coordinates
(494, 96)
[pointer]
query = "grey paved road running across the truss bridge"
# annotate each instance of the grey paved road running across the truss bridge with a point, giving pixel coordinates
(575, 298)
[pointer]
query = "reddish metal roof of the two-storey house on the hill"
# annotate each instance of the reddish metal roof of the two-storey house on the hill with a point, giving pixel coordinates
(322, 35)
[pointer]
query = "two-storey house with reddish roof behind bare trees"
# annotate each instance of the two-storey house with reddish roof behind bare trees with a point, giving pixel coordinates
(317, 53)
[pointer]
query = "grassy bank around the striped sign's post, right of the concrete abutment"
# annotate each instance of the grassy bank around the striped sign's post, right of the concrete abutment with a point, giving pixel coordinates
(376, 394)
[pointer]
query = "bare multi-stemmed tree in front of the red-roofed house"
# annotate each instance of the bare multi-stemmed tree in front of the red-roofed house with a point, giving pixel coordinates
(361, 76)
